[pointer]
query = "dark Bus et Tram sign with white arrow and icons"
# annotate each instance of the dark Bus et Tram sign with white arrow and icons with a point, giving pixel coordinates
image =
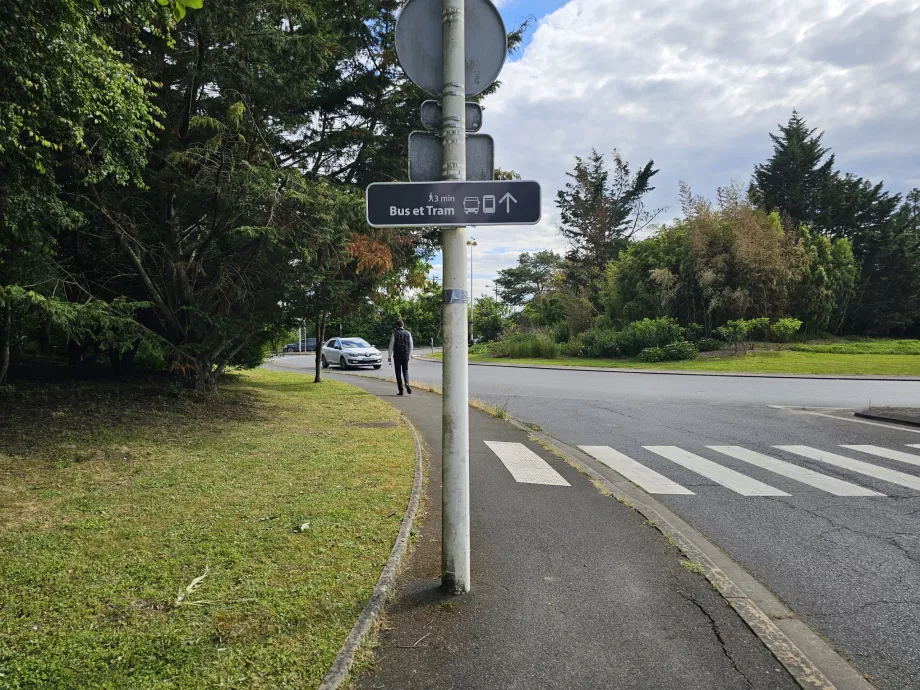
(450, 204)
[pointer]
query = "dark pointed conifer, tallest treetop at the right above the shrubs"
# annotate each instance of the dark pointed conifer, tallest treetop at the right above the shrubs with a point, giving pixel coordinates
(798, 177)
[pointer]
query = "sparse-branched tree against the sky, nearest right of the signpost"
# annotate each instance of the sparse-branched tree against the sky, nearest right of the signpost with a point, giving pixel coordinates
(601, 215)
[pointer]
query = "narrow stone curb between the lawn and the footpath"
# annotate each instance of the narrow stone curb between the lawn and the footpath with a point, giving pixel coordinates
(341, 667)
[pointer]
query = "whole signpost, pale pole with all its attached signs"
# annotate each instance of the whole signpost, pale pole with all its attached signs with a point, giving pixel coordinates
(452, 49)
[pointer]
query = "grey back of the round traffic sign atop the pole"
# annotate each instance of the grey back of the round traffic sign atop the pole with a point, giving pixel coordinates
(418, 44)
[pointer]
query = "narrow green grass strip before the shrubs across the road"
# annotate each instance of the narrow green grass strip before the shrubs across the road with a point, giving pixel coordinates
(764, 362)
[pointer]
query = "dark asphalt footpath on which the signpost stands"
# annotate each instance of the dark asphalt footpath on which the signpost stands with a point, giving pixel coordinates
(570, 590)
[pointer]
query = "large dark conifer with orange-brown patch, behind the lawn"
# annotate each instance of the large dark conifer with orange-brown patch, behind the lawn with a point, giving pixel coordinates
(245, 210)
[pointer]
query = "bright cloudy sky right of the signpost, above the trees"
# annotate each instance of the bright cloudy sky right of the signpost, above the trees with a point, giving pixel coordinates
(697, 86)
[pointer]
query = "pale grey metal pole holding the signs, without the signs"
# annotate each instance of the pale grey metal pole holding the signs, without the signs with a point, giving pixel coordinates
(455, 491)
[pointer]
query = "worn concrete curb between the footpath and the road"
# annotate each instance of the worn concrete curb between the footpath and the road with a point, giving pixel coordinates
(806, 656)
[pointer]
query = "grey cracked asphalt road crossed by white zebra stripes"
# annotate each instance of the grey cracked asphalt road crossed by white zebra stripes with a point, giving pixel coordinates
(847, 565)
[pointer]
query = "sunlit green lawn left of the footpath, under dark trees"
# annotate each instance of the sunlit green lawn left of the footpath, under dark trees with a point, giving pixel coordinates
(279, 498)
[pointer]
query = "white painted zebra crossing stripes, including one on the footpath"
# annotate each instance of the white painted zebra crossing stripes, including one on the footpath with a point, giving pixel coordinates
(526, 467)
